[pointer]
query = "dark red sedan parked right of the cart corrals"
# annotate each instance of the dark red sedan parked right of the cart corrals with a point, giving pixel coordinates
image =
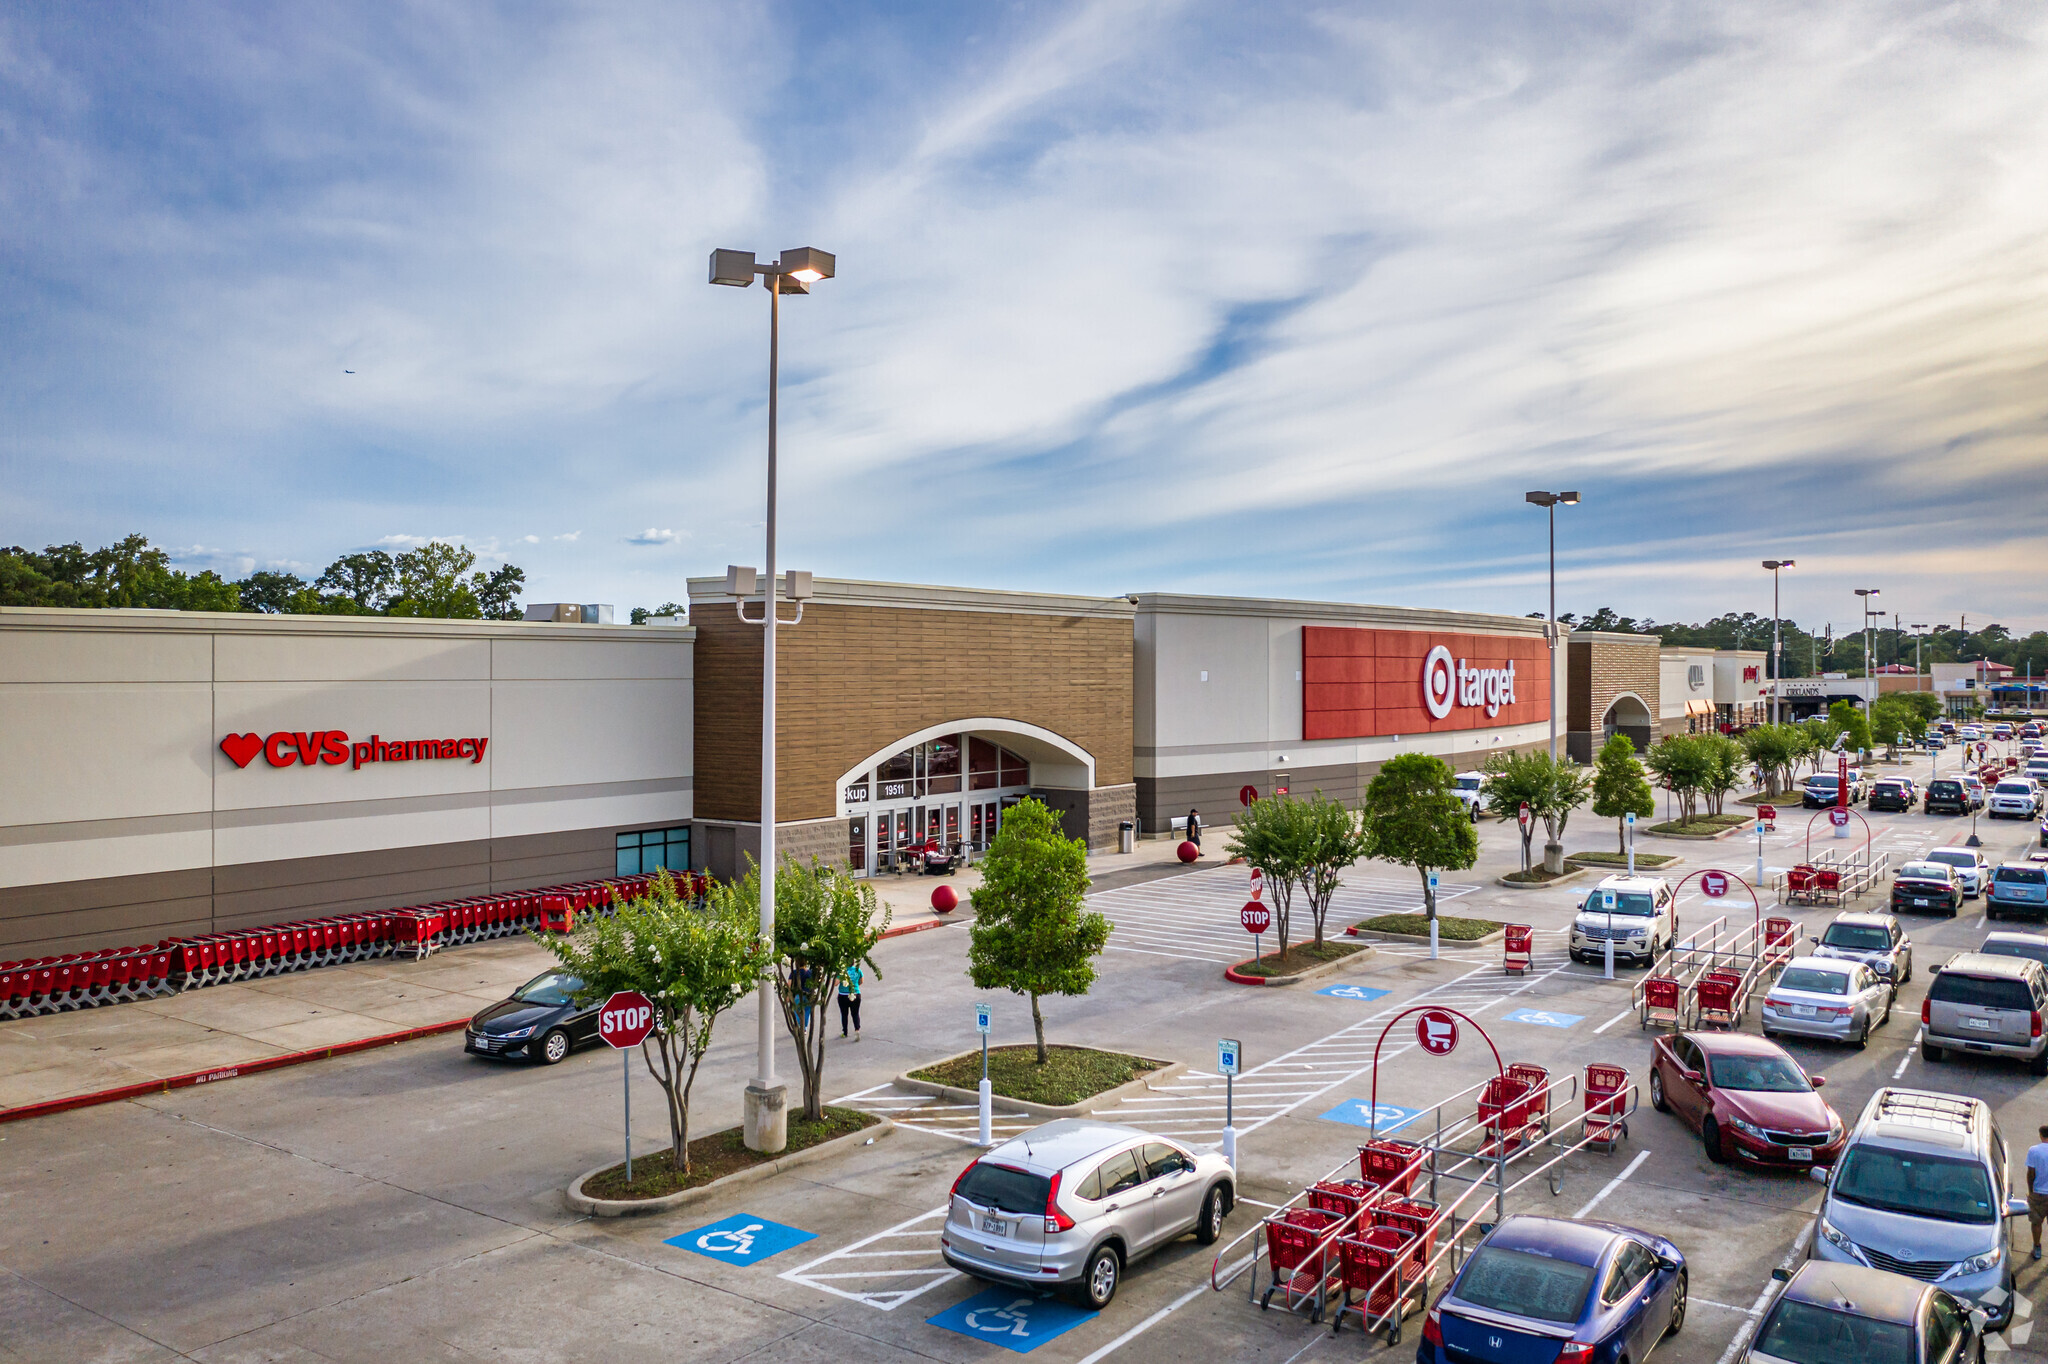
(1746, 1097)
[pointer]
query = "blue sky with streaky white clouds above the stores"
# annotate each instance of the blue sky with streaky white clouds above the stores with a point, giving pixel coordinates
(1134, 296)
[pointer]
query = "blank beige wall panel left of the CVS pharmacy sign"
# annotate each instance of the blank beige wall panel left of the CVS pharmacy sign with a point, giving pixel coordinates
(103, 753)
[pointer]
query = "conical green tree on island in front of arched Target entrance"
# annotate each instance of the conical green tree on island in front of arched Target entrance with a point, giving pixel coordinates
(1031, 933)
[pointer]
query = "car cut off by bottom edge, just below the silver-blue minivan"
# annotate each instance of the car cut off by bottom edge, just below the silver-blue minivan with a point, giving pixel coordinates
(1844, 1314)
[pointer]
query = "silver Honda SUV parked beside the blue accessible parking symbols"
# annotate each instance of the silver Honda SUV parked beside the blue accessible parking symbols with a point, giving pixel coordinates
(1076, 1201)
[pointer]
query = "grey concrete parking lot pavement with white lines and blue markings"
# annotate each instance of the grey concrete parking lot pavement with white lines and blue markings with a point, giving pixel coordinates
(407, 1203)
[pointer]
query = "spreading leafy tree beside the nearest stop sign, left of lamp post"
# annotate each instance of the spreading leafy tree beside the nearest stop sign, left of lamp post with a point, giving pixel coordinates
(691, 964)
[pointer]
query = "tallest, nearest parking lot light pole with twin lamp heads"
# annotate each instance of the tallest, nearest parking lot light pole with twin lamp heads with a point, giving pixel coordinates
(767, 1099)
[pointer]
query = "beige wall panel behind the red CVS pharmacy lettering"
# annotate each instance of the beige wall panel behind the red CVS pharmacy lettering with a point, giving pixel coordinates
(390, 712)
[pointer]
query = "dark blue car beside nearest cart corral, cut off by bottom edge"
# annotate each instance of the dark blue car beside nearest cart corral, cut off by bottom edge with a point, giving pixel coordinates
(1545, 1291)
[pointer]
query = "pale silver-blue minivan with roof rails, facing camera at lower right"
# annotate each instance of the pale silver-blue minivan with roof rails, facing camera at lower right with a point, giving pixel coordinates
(1922, 1191)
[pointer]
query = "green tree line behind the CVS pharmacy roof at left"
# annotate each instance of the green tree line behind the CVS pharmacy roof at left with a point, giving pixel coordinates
(433, 581)
